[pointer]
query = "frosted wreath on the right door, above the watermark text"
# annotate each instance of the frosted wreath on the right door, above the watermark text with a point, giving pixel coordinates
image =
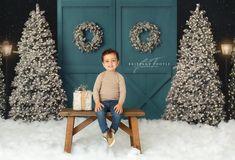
(152, 41)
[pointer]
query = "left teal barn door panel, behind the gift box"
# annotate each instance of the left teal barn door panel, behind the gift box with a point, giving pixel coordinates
(78, 67)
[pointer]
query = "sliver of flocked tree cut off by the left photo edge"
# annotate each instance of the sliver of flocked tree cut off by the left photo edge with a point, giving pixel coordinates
(2, 91)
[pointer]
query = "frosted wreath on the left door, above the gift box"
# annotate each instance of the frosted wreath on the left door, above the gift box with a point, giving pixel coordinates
(81, 41)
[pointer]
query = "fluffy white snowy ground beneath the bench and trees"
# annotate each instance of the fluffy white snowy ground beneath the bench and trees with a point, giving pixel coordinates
(161, 140)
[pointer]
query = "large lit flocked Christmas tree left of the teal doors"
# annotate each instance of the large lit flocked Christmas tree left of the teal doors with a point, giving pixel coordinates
(37, 93)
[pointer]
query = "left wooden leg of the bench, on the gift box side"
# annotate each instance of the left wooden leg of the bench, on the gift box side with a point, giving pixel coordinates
(69, 134)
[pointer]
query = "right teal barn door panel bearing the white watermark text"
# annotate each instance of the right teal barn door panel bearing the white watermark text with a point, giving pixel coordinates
(147, 85)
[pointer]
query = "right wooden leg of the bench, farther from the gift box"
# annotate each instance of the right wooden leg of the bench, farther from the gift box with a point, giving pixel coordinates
(135, 138)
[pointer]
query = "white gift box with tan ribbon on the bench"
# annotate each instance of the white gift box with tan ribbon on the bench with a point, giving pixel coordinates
(82, 100)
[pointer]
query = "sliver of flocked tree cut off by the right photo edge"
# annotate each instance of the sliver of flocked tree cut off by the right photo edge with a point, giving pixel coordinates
(231, 91)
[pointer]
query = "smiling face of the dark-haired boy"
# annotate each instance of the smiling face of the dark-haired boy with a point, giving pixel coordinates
(110, 62)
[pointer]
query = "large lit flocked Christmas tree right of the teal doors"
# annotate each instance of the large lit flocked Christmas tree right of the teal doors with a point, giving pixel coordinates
(195, 95)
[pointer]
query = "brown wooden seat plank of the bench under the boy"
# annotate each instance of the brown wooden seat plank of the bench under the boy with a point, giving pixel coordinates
(128, 112)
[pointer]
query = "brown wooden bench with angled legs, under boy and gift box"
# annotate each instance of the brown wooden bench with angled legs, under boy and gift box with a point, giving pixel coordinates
(132, 130)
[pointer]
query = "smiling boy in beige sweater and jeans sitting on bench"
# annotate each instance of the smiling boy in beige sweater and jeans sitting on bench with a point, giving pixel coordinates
(109, 94)
